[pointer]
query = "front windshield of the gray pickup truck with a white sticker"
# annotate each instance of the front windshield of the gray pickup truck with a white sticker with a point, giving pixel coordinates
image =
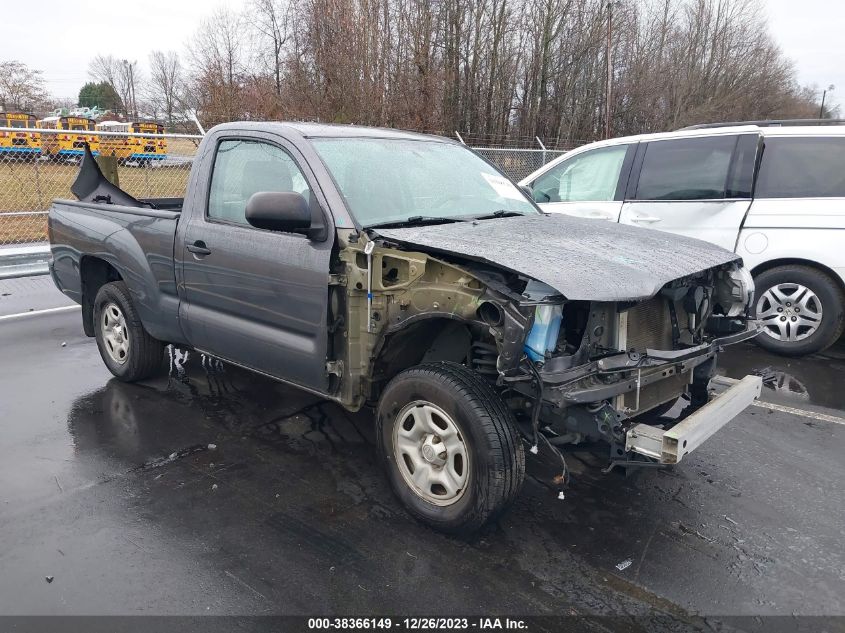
(394, 180)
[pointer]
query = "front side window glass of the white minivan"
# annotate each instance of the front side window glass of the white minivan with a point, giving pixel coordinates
(591, 176)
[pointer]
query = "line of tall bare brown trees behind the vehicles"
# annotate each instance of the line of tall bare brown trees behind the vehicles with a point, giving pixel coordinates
(492, 70)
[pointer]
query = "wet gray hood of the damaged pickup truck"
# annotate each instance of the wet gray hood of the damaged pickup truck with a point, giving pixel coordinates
(586, 260)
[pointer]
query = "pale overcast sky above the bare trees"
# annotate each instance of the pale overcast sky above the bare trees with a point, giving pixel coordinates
(66, 34)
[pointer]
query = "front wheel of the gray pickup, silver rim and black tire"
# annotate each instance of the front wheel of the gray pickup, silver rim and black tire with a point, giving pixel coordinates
(450, 446)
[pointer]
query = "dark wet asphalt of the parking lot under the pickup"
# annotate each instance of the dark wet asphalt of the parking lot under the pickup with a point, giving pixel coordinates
(211, 490)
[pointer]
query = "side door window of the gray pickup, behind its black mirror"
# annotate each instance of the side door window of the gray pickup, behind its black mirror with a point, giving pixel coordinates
(242, 168)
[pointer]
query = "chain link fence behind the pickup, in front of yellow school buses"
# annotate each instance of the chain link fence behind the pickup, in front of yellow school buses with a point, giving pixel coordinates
(37, 166)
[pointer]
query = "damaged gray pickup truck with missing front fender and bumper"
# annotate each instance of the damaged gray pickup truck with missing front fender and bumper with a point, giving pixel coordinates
(373, 266)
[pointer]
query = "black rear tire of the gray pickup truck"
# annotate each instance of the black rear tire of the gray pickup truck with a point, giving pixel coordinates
(143, 356)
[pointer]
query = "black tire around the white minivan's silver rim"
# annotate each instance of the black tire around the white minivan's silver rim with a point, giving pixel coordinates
(827, 291)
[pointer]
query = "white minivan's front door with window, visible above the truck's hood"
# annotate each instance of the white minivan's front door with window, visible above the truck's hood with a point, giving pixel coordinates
(589, 184)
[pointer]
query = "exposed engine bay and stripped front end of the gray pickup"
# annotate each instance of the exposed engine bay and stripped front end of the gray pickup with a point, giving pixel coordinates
(573, 371)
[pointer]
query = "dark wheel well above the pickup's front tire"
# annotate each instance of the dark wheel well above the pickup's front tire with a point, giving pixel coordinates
(431, 339)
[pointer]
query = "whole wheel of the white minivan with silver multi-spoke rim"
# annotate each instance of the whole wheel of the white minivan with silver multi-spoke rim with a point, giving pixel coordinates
(800, 309)
